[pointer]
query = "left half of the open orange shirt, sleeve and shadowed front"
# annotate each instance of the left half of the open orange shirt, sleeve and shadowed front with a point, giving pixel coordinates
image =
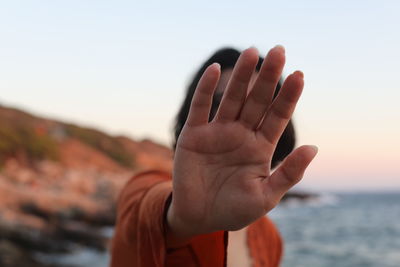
(139, 239)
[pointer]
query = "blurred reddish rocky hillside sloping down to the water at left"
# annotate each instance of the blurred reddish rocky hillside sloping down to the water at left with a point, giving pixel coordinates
(59, 183)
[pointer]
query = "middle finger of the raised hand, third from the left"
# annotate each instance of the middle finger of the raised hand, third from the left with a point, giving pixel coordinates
(261, 94)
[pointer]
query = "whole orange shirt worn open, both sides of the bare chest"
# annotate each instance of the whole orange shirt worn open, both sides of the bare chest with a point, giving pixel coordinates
(139, 239)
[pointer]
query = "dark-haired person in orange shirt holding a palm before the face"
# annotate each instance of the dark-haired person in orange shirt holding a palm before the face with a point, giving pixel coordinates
(231, 131)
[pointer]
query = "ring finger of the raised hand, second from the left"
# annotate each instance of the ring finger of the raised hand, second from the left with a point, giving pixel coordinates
(236, 90)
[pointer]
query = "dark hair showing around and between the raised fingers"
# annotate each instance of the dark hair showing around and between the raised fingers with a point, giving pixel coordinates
(227, 58)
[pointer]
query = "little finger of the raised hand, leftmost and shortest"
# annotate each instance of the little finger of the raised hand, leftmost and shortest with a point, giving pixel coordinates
(202, 99)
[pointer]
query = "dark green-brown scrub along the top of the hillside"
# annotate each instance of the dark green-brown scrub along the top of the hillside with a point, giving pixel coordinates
(27, 137)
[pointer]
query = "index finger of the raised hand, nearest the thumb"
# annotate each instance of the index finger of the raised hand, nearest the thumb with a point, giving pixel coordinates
(281, 110)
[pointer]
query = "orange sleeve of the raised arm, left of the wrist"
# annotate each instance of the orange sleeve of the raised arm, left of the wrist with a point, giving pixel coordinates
(139, 234)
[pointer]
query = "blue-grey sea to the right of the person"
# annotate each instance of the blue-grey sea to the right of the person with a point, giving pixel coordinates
(346, 230)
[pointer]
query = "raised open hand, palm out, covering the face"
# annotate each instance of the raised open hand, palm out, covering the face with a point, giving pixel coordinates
(222, 178)
